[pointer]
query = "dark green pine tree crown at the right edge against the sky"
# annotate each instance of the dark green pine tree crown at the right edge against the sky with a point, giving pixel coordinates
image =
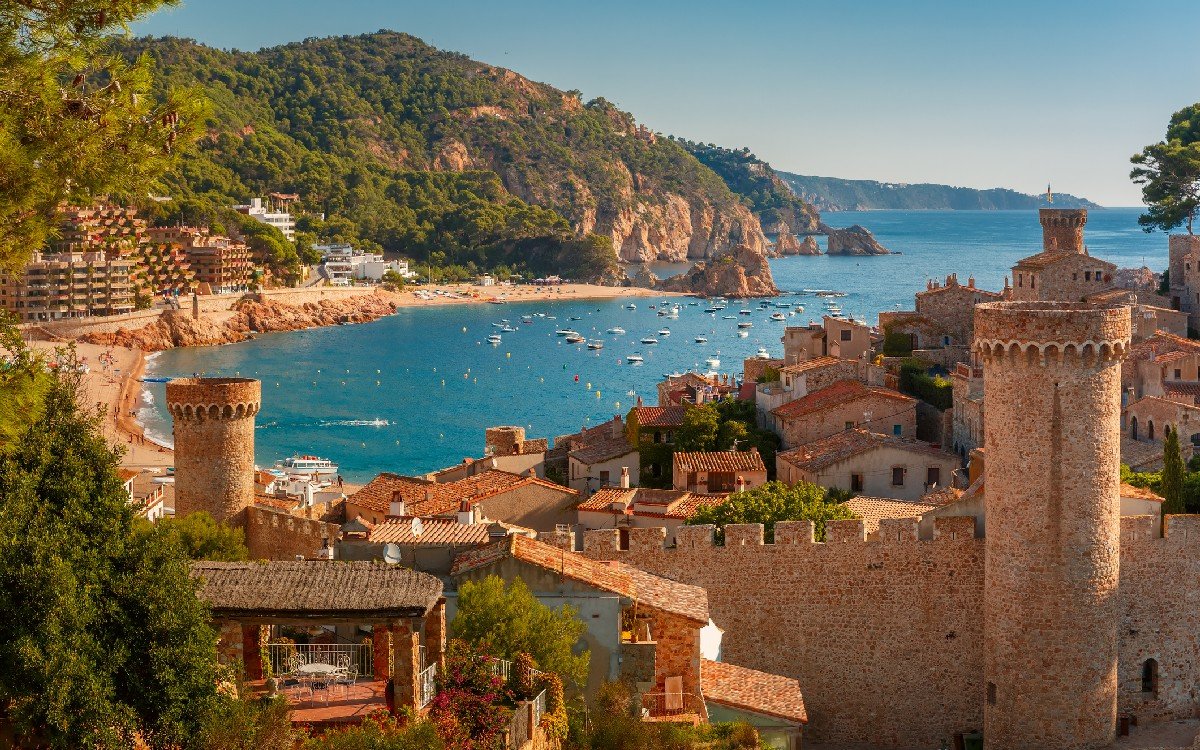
(1169, 173)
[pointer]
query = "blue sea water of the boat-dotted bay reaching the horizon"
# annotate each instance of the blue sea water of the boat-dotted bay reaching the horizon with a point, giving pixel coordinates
(412, 393)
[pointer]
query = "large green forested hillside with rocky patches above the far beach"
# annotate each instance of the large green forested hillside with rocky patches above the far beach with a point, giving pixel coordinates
(367, 129)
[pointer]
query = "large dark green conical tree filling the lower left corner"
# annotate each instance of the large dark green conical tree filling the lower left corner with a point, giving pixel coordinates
(111, 638)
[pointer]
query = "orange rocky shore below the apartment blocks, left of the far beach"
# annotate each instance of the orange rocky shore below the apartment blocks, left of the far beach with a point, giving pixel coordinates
(178, 328)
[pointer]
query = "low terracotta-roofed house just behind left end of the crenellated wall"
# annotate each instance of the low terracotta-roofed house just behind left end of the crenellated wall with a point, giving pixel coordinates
(616, 508)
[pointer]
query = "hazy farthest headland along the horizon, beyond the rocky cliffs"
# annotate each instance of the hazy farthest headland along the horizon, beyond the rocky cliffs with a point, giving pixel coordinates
(831, 195)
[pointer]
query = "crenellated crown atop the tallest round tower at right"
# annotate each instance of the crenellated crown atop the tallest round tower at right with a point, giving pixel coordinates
(1051, 333)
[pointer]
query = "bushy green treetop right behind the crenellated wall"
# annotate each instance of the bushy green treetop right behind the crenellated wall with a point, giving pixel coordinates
(772, 503)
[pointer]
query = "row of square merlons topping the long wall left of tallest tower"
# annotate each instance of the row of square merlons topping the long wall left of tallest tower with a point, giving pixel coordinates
(788, 535)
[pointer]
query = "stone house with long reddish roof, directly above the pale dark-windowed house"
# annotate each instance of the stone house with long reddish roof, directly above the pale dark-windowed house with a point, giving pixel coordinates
(843, 406)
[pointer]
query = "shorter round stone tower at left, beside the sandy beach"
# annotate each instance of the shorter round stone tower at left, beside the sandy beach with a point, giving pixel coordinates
(214, 445)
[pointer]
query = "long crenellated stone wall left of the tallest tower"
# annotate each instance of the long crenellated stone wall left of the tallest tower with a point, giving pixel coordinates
(884, 637)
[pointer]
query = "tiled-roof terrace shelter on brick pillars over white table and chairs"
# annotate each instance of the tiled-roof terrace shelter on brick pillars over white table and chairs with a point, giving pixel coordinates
(404, 607)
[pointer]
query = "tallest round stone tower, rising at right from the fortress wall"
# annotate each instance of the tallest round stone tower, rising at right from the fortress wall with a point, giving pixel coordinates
(1053, 405)
